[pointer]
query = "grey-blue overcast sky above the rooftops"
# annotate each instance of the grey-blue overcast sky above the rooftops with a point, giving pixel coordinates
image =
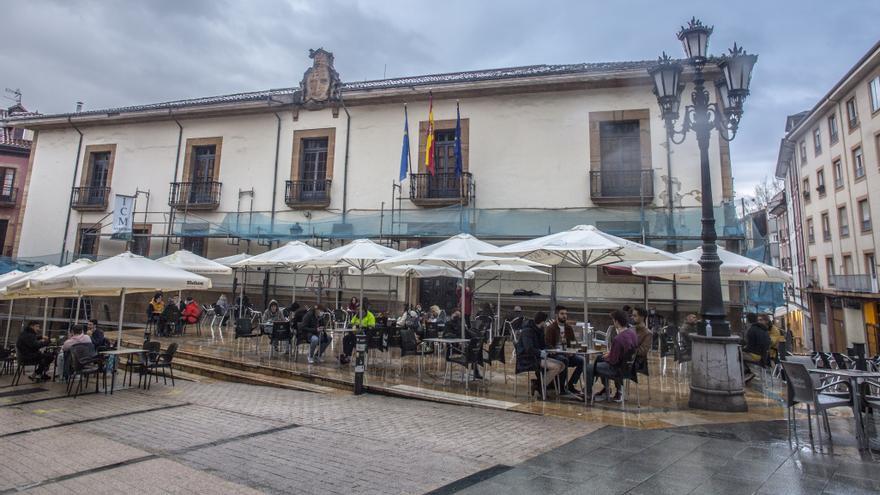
(108, 53)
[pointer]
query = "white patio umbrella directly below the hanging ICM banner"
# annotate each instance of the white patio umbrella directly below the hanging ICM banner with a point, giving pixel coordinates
(128, 273)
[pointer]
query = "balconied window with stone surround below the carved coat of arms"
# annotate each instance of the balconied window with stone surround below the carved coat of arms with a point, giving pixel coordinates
(311, 170)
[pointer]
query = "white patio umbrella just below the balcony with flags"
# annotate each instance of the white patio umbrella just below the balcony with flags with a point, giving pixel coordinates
(462, 252)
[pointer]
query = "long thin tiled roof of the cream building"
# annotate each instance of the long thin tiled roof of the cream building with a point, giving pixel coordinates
(402, 82)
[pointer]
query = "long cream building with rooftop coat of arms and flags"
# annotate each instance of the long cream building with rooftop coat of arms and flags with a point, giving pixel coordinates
(544, 148)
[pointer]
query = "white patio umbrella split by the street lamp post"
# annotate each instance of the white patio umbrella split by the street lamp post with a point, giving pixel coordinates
(733, 267)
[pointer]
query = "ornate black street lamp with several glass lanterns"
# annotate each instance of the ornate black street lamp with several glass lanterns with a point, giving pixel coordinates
(702, 116)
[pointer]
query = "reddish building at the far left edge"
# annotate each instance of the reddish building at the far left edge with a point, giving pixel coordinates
(15, 150)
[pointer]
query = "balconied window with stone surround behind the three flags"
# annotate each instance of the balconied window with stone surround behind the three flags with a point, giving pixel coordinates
(443, 187)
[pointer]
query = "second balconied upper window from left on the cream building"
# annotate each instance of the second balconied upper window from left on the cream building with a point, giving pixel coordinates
(200, 188)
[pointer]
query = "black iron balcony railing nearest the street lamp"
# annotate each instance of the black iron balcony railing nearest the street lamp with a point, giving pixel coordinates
(622, 187)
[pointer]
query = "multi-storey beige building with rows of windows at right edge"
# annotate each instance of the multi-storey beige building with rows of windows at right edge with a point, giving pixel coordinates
(830, 159)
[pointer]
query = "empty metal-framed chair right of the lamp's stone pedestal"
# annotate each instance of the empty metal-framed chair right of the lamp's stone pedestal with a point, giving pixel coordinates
(805, 388)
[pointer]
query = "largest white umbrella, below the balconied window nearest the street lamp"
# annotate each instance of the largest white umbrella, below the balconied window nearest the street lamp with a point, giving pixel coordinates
(583, 246)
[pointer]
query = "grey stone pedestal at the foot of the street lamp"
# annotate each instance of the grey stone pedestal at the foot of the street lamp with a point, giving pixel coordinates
(716, 377)
